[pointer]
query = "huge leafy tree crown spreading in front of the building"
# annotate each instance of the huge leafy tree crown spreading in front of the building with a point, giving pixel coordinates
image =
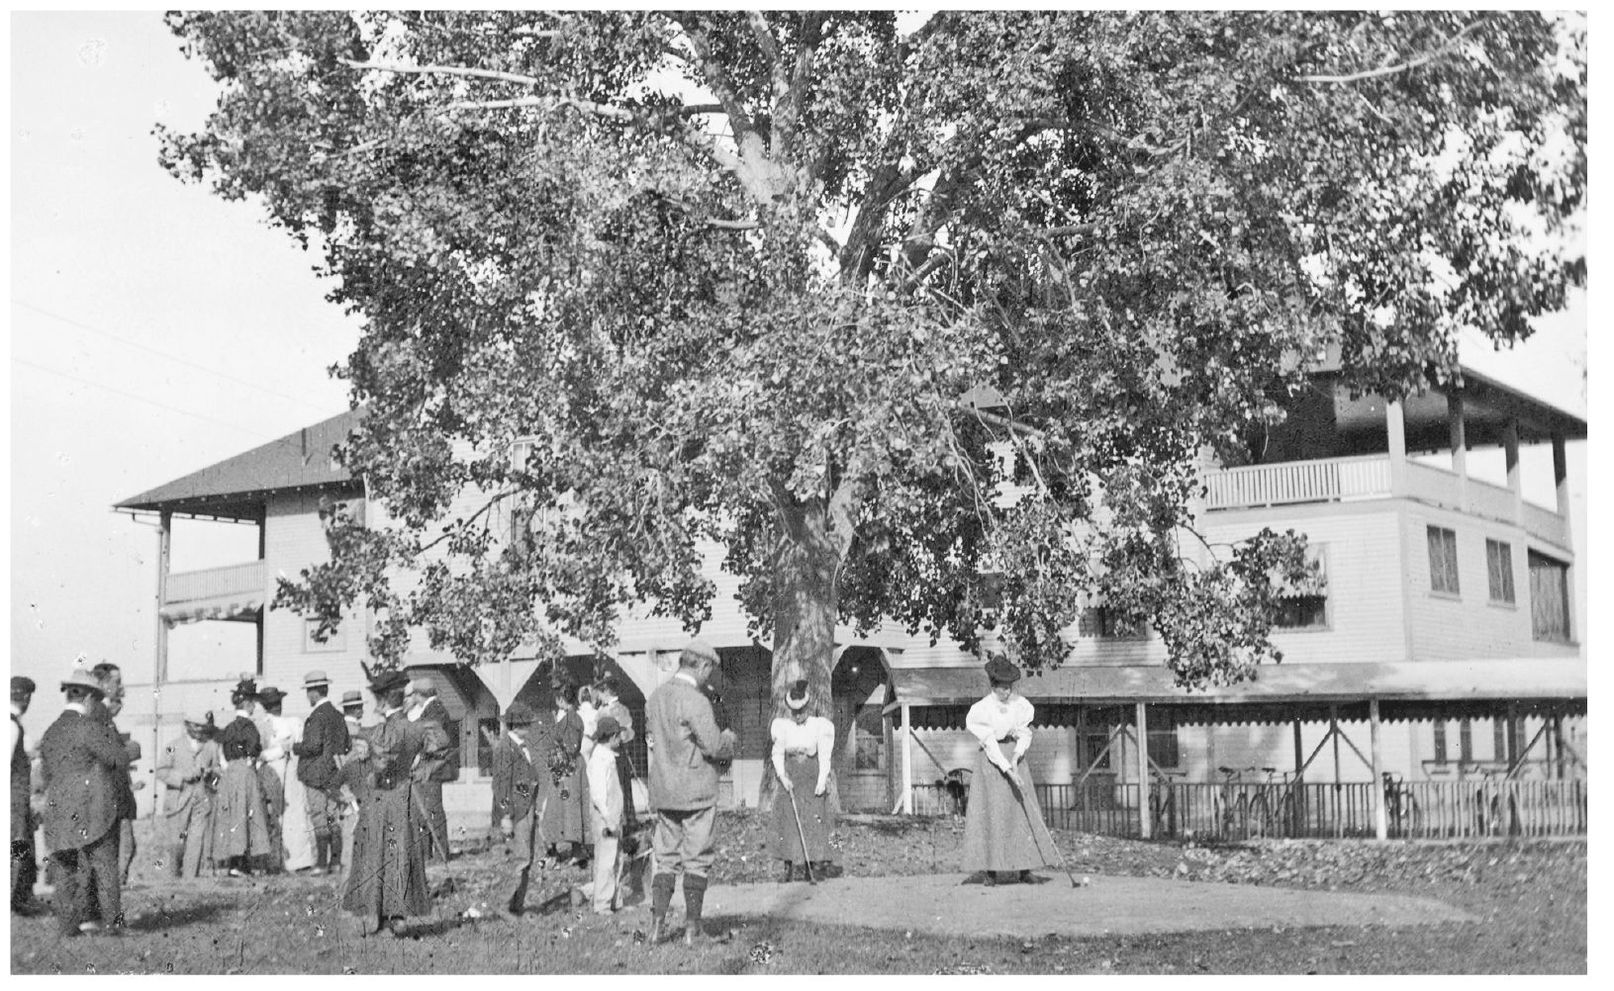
(814, 286)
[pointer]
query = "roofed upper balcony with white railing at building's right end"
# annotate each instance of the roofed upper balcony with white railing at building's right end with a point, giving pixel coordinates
(1344, 448)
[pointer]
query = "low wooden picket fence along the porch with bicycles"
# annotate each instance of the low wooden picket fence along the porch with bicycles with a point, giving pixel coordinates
(1319, 811)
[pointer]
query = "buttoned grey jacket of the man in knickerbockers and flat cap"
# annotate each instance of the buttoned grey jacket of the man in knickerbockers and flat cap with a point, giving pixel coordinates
(688, 748)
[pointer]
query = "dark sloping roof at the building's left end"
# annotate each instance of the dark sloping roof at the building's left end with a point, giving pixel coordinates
(235, 488)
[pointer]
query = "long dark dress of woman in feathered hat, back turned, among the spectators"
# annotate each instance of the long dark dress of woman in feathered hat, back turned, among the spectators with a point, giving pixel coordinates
(388, 872)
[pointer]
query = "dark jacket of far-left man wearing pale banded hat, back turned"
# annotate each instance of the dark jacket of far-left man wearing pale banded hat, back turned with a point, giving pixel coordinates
(85, 767)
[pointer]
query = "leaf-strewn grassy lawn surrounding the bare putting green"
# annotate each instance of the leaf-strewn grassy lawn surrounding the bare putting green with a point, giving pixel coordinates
(1531, 901)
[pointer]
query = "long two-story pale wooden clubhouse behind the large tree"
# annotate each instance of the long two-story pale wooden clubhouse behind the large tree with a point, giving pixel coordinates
(1442, 646)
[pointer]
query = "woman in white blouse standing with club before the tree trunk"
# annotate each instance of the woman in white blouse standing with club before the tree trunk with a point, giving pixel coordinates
(803, 753)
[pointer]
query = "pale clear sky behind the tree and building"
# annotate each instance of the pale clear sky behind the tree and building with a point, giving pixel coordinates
(157, 328)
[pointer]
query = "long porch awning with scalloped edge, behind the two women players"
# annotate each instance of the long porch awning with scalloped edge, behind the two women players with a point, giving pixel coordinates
(1305, 685)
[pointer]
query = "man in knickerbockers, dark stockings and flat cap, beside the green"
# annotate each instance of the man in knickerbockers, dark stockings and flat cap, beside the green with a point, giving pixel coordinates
(684, 785)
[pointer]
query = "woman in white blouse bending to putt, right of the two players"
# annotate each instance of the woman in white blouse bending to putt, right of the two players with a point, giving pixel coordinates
(1003, 826)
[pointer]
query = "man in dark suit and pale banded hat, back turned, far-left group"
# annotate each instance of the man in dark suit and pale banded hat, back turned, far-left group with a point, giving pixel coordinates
(85, 769)
